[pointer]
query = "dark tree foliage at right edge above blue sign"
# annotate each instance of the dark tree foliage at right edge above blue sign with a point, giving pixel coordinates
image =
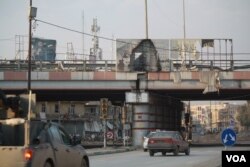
(244, 115)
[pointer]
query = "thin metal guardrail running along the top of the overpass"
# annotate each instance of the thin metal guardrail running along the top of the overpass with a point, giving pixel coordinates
(110, 65)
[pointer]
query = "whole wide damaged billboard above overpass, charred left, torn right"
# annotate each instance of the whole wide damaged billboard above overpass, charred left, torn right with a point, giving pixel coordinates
(167, 54)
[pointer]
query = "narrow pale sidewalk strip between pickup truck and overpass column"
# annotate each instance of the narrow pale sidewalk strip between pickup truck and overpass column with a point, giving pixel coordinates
(108, 150)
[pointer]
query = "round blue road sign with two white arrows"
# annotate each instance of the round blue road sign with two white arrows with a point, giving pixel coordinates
(228, 137)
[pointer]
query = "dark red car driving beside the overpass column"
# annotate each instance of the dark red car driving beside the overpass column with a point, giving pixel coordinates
(167, 141)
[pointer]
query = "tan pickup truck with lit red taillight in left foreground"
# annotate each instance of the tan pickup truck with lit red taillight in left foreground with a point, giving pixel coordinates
(50, 146)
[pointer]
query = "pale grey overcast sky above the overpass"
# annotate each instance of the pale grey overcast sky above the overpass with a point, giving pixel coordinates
(125, 19)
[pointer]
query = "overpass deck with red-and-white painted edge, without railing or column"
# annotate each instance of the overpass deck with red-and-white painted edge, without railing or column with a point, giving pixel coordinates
(91, 85)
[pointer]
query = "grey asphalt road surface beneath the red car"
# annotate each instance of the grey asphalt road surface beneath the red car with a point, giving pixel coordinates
(199, 157)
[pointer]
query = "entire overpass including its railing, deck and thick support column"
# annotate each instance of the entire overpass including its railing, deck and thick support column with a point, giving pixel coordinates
(164, 90)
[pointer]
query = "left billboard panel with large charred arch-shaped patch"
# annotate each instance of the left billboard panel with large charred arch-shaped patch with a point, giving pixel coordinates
(141, 54)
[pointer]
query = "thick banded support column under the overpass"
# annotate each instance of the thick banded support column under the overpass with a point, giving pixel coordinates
(160, 113)
